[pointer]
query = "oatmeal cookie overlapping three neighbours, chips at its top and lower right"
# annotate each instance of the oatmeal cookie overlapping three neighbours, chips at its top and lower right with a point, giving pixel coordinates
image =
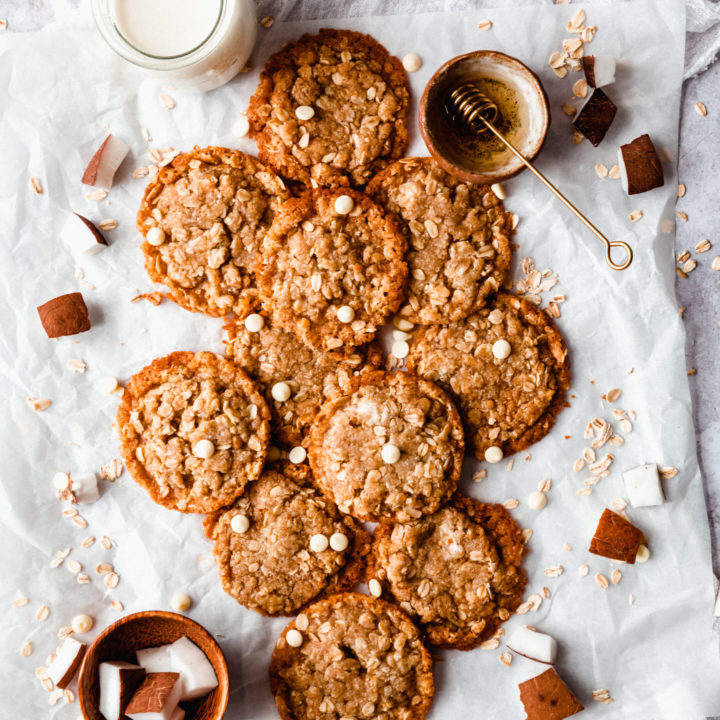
(332, 277)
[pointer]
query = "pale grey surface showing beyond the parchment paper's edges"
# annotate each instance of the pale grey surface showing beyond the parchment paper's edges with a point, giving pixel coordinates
(699, 170)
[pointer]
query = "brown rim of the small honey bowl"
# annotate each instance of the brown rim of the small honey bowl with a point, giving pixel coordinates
(499, 58)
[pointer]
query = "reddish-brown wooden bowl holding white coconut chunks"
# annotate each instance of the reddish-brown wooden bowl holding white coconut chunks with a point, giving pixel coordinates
(120, 640)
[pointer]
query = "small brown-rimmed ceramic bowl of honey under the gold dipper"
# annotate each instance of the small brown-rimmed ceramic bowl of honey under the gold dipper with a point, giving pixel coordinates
(480, 158)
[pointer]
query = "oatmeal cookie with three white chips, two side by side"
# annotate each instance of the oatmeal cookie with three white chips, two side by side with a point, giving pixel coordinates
(283, 545)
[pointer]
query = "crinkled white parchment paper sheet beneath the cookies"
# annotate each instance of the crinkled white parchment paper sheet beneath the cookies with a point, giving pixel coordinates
(61, 88)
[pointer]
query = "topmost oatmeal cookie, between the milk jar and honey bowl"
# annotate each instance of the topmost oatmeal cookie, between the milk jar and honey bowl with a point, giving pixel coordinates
(331, 108)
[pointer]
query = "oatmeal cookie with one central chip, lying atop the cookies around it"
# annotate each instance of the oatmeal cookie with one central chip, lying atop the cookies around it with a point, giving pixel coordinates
(390, 446)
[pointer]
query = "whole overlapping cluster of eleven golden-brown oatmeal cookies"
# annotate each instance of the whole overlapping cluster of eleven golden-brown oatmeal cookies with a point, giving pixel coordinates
(299, 437)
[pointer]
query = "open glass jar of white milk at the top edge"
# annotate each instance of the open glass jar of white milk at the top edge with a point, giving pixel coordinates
(186, 44)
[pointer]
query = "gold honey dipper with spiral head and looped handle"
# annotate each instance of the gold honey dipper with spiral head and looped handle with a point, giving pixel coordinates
(468, 105)
